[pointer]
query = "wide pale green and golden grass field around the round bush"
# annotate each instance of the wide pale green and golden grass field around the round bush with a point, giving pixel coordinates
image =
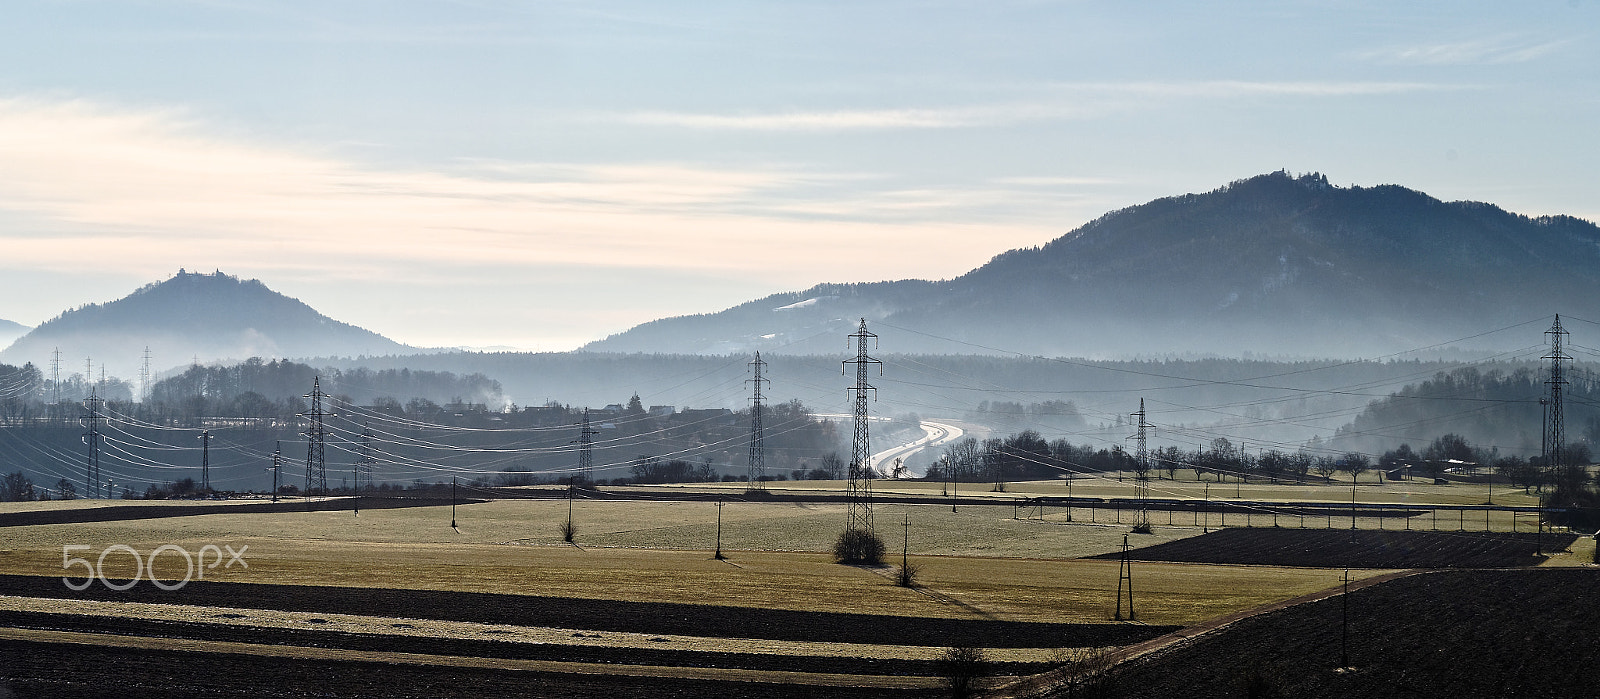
(975, 564)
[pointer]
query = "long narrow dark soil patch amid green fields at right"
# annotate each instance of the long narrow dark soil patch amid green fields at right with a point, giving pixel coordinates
(1359, 549)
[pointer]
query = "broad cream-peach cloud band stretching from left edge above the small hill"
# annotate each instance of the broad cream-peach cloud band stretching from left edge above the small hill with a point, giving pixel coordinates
(135, 190)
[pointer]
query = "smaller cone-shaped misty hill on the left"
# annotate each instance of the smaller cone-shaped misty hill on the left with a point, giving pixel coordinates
(207, 316)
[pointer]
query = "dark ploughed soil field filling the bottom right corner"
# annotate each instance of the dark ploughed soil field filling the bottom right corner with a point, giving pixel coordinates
(1510, 633)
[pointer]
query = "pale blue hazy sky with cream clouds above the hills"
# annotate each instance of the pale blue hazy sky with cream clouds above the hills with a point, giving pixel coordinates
(545, 174)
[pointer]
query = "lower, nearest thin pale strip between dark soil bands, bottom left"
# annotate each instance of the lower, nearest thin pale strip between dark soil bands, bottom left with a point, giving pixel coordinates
(721, 674)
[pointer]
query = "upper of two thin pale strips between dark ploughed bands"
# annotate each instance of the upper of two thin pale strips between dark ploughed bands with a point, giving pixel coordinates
(492, 633)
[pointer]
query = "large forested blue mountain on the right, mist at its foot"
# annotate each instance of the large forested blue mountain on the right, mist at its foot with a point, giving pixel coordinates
(1270, 265)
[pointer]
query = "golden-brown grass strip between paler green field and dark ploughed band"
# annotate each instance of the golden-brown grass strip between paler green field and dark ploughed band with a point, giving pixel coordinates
(974, 589)
